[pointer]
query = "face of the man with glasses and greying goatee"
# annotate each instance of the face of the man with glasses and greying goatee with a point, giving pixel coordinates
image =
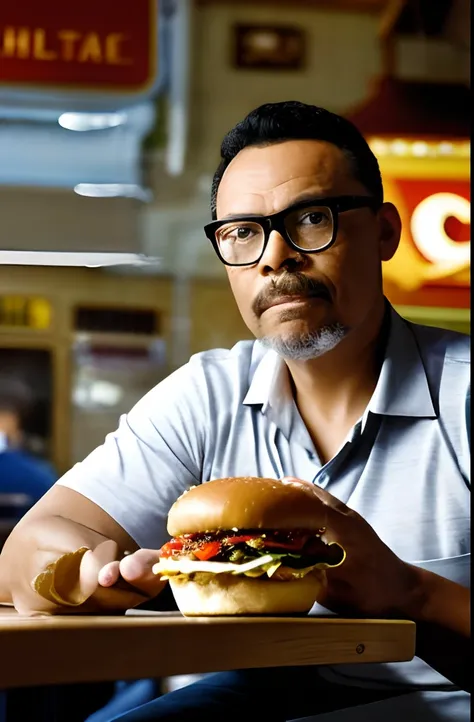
(262, 181)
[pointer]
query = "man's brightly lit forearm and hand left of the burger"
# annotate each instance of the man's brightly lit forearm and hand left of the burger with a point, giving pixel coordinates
(64, 557)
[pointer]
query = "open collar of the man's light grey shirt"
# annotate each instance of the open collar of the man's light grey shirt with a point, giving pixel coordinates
(402, 388)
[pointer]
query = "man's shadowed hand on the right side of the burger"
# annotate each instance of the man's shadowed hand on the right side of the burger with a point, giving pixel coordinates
(372, 581)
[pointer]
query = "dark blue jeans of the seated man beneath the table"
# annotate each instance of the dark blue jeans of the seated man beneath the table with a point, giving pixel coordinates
(253, 695)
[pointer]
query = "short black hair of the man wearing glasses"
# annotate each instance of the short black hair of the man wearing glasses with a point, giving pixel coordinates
(292, 120)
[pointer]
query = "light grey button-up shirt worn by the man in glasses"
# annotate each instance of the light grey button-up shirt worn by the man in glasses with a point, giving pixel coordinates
(405, 466)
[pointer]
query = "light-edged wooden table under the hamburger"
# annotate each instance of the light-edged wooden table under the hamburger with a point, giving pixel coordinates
(64, 649)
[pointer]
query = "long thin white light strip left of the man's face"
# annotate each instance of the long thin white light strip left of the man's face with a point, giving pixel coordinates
(80, 259)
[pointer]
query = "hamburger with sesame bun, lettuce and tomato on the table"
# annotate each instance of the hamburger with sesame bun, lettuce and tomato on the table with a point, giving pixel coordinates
(243, 546)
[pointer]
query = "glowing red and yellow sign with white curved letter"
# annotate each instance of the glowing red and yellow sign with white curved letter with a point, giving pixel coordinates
(432, 264)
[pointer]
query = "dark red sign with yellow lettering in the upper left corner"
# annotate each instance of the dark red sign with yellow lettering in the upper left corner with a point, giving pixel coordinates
(78, 45)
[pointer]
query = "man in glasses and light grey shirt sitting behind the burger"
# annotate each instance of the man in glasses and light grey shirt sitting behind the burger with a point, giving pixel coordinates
(338, 391)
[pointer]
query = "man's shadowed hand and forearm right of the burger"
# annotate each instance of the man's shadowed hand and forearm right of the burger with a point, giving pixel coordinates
(373, 581)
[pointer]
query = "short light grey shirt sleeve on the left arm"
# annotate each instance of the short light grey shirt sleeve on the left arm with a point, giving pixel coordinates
(155, 454)
